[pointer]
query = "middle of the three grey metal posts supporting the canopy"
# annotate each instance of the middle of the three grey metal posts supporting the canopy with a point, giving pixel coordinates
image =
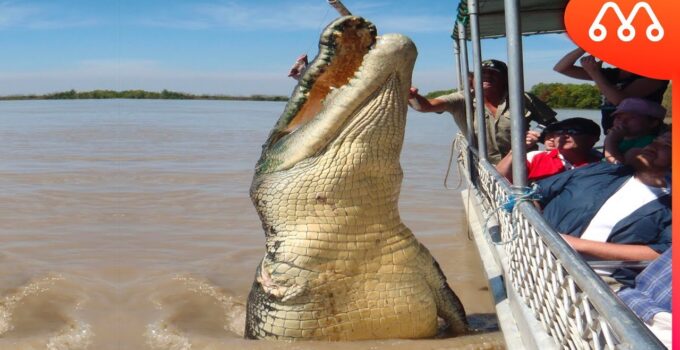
(473, 12)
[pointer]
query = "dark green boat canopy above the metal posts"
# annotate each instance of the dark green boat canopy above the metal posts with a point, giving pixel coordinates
(537, 17)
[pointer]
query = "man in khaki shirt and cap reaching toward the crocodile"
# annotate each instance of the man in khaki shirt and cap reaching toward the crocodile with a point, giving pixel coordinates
(497, 112)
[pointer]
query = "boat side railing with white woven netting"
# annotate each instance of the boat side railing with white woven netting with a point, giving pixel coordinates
(576, 308)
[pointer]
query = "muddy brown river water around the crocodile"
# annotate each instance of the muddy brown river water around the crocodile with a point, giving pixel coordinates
(127, 225)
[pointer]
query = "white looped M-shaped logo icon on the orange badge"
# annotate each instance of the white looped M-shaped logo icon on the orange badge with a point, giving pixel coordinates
(626, 31)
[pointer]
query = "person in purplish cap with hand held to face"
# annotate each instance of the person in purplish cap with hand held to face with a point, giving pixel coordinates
(637, 121)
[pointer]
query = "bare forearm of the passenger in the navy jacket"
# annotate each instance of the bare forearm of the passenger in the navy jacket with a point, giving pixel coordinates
(611, 251)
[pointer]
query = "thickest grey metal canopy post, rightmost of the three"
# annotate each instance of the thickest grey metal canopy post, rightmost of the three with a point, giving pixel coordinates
(516, 93)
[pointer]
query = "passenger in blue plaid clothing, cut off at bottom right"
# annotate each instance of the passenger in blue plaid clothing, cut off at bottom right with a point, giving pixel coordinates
(650, 297)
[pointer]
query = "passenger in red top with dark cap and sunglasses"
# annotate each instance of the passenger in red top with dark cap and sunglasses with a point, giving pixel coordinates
(575, 142)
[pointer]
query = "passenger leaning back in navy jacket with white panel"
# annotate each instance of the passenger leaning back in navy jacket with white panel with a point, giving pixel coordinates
(614, 212)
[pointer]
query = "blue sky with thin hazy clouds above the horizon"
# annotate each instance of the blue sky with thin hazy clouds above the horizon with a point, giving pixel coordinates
(234, 47)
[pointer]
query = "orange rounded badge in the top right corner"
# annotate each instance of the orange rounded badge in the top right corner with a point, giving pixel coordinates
(637, 36)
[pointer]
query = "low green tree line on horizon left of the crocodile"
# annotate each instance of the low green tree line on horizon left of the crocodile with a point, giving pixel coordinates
(139, 94)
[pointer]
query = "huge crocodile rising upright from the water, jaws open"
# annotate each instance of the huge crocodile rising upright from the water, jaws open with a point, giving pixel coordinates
(339, 262)
